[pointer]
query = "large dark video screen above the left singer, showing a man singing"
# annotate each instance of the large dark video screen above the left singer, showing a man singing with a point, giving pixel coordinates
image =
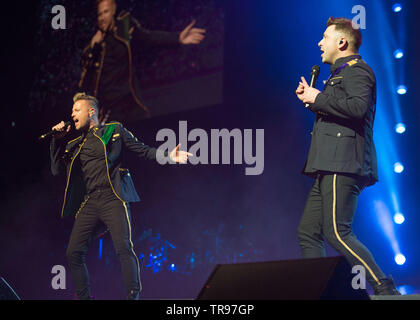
(140, 59)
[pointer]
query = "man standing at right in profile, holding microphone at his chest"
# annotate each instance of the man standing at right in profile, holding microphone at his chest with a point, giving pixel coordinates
(342, 156)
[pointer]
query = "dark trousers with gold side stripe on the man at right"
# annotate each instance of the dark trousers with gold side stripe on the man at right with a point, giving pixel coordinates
(328, 215)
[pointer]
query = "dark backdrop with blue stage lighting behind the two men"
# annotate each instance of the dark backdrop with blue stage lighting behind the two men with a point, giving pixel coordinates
(194, 217)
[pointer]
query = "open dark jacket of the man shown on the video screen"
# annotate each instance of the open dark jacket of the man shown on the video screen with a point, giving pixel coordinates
(126, 30)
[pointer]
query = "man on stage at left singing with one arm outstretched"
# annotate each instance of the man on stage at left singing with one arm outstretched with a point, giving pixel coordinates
(99, 188)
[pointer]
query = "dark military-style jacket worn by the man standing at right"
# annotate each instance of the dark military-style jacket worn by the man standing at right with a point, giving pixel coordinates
(342, 136)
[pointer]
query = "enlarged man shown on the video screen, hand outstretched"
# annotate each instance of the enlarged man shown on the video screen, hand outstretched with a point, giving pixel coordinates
(107, 62)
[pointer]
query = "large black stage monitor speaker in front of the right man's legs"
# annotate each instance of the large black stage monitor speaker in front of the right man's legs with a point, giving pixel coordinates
(301, 279)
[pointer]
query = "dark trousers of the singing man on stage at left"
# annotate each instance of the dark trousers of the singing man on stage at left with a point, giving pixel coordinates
(104, 206)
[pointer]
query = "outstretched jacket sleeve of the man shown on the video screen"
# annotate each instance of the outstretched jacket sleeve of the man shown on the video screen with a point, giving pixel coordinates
(163, 38)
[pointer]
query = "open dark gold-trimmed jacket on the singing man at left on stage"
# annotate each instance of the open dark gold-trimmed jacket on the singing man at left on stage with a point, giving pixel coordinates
(64, 158)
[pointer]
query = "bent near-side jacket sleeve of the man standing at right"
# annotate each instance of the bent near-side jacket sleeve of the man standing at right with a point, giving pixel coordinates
(359, 86)
